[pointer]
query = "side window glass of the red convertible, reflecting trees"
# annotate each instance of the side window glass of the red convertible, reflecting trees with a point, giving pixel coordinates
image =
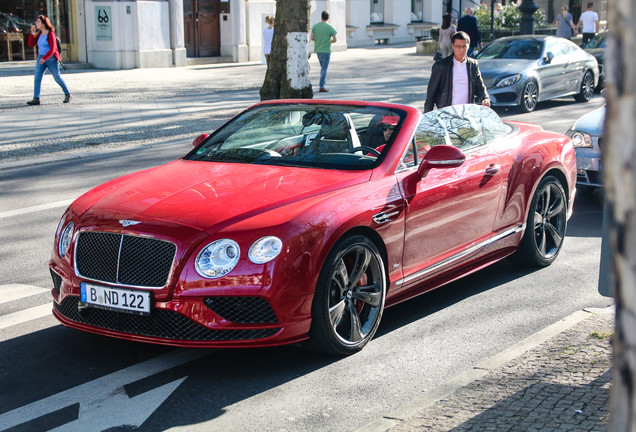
(466, 127)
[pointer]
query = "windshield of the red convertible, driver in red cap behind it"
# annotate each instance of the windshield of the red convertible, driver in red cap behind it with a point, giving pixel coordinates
(306, 135)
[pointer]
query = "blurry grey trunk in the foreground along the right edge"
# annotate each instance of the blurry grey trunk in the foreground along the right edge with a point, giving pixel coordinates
(619, 156)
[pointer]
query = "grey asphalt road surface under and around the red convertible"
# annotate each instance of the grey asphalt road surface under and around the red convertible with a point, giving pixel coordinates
(53, 376)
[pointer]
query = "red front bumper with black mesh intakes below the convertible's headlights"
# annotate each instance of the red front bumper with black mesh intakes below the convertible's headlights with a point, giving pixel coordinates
(192, 321)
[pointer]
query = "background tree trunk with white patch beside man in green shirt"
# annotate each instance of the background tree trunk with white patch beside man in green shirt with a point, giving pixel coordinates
(287, 75)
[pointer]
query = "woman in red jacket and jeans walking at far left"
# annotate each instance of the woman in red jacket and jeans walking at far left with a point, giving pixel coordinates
(43, 35)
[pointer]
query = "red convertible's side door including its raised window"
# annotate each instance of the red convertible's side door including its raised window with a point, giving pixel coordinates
(449, 210)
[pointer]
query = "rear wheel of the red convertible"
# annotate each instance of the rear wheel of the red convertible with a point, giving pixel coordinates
(546, 224)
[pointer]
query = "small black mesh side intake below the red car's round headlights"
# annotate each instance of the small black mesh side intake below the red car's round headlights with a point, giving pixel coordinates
(245, 310)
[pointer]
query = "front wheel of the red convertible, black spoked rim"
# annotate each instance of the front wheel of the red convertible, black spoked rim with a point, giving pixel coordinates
(349, 297)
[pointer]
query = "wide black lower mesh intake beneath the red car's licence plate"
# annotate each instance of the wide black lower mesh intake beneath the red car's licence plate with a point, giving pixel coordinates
(161, 323)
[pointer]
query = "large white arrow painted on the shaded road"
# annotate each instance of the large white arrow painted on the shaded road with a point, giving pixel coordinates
(104, 403)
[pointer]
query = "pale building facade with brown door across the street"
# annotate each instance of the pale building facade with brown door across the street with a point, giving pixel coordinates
(123, 34)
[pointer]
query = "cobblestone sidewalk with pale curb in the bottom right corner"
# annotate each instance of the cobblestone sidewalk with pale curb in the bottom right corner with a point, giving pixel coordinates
(560, 384)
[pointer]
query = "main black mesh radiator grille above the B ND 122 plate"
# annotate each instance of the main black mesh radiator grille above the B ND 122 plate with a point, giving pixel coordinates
(124, 259)
